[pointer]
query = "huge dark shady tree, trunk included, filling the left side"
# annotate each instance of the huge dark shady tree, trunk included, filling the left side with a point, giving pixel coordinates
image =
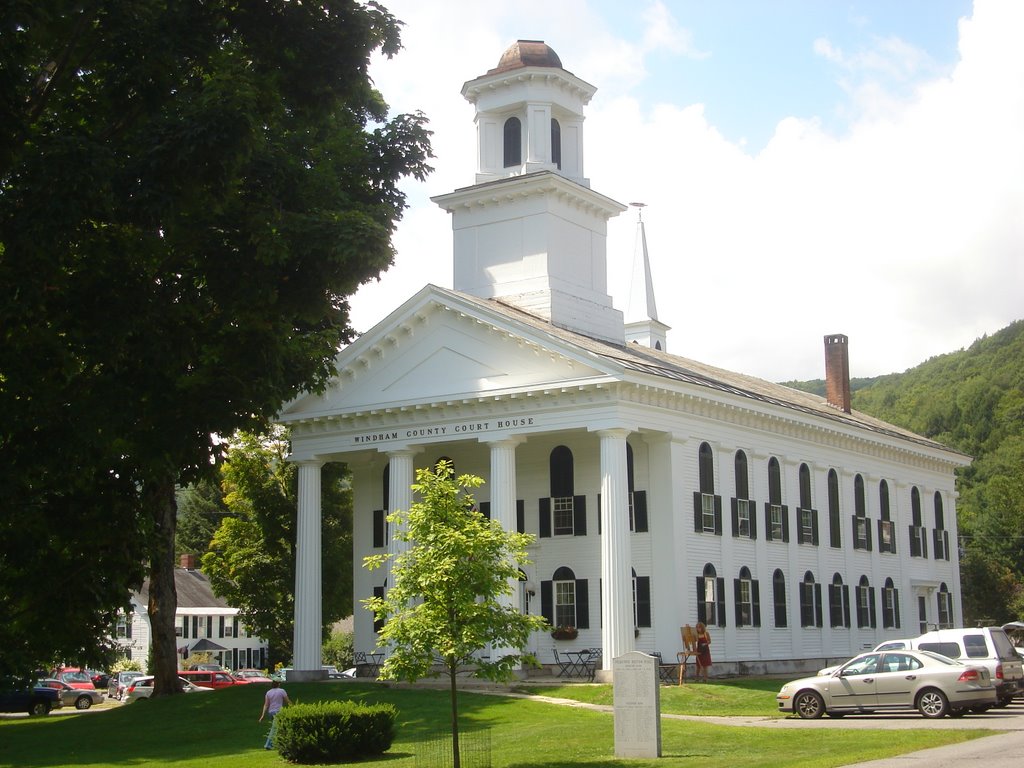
(189, 191)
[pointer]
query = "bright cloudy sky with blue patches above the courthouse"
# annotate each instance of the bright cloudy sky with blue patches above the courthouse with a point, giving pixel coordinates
(809, 167)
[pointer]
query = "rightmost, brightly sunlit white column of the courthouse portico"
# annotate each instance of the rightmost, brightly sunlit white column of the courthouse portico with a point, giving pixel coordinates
(617, 592)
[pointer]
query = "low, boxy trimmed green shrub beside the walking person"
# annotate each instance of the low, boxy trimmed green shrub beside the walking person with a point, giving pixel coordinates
(334, 732)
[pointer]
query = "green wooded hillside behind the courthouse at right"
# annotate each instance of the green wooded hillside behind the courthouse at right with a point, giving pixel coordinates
(972, 401)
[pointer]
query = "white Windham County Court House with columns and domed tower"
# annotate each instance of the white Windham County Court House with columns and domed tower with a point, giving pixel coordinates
(662, 491)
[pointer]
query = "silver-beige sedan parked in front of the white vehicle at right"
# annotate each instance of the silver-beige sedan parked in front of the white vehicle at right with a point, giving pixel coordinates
(890, 681)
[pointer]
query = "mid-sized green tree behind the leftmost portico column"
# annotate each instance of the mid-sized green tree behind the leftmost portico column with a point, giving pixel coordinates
(251, 563)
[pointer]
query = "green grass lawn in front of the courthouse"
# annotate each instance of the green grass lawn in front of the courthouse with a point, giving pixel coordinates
(221, 730)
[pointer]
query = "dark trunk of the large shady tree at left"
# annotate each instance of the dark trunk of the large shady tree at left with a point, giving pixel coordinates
(163, 598)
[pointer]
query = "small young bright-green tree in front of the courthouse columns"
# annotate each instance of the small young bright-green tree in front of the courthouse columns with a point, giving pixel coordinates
(446, 602)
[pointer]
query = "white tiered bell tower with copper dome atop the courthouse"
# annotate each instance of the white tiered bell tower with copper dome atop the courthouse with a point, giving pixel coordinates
(531, 232)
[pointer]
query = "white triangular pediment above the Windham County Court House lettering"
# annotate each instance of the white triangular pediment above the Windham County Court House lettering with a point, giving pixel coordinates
(437, 354)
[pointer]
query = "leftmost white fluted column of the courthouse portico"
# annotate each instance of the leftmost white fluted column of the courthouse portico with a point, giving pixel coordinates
(309, 591)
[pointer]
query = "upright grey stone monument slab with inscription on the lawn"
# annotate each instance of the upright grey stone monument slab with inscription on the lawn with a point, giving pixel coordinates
(637, 706)
